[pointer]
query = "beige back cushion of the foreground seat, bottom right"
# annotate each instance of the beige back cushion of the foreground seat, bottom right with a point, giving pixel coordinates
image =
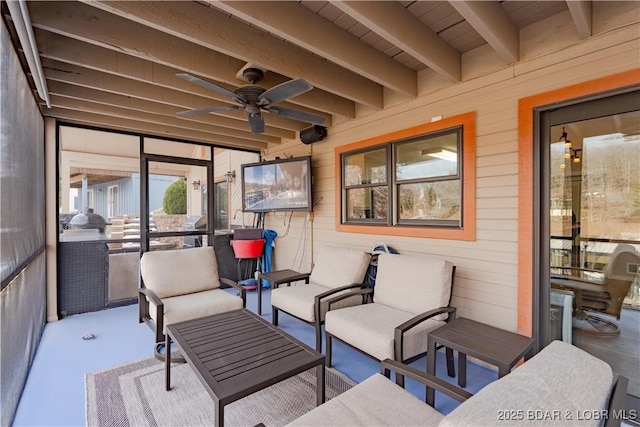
(561, 382)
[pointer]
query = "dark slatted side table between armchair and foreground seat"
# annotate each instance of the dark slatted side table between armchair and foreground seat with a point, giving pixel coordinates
(493, 345)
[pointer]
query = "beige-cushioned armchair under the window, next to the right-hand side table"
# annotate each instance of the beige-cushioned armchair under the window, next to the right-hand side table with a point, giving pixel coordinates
(411, 297)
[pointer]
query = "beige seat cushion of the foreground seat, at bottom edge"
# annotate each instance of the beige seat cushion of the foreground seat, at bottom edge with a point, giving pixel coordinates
(376, 401)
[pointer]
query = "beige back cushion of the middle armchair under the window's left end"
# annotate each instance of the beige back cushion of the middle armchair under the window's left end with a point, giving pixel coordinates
(339, 266)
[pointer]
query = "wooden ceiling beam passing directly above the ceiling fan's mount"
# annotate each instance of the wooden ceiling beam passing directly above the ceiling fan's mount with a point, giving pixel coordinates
(218, 31)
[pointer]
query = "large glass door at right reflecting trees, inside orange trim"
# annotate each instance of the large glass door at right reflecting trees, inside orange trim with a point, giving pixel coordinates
(590, 230)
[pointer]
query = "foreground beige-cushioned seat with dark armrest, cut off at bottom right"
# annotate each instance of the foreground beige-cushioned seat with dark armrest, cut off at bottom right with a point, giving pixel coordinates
(561, 385)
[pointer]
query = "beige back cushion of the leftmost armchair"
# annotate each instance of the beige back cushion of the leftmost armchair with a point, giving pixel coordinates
(180, 272)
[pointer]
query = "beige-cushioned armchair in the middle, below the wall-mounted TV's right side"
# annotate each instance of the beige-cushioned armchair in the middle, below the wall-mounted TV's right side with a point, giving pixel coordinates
(336, 270)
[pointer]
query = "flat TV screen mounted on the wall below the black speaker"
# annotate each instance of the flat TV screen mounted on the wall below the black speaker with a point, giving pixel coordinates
(277, 185)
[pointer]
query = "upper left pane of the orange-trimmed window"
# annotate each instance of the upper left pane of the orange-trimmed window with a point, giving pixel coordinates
(366, 168)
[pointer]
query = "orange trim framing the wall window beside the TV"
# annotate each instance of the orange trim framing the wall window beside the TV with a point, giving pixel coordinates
(468, 231)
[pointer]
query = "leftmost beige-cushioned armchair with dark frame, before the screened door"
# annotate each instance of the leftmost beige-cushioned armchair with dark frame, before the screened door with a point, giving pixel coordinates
(180, 285)
